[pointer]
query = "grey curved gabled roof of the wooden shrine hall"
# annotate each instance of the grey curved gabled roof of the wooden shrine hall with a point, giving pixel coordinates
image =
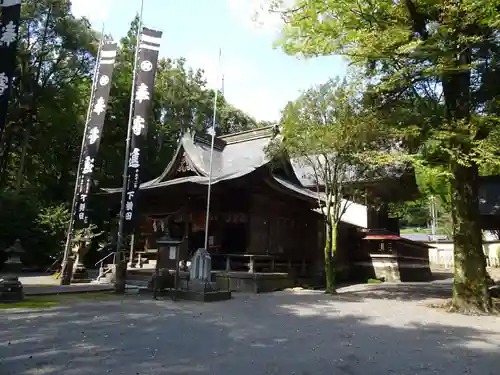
(234, 155)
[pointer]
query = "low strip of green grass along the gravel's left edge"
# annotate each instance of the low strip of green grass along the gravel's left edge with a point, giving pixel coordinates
(45, 302)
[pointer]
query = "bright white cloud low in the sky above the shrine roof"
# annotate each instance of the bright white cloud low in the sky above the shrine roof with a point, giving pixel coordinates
(241, 83)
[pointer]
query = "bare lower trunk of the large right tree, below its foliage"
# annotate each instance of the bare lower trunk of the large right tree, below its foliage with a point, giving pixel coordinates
(470, 283)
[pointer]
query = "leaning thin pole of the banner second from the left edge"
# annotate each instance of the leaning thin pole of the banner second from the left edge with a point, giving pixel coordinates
(69, 235)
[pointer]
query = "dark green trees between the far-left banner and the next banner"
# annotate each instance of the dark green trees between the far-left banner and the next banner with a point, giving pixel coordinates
(41, 143)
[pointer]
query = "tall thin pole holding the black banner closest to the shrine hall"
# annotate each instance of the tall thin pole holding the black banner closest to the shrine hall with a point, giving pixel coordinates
(121, 223)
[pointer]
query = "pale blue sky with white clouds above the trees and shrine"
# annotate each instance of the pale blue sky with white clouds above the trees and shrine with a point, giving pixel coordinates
(258, 78)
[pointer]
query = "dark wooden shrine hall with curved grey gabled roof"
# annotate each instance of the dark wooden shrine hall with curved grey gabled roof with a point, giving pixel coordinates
(265, 231)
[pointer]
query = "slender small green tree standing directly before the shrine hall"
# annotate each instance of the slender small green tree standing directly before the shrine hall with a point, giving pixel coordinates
(322, 131)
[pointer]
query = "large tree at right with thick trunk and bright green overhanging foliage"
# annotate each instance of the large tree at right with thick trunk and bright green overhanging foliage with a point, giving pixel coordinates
(441, 56)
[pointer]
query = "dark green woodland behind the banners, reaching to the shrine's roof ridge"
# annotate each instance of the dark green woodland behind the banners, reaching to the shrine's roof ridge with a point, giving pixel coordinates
(40, 147)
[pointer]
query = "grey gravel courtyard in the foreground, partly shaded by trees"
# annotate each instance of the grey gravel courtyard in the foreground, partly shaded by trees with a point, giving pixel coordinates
(369, 330)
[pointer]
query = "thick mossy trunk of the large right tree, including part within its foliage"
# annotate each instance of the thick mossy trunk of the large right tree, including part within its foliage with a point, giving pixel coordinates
(470, 284)
